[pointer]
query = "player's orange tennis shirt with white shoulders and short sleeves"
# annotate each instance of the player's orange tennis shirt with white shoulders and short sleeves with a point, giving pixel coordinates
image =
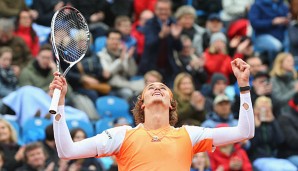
(135, 151)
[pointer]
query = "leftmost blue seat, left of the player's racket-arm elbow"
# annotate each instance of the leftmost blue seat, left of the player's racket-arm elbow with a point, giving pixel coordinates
(34, 129)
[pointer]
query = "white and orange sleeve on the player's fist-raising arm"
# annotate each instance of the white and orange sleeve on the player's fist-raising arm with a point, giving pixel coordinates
(205, 139)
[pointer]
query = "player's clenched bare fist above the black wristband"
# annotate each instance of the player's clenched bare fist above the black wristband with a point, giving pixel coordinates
(241, 72)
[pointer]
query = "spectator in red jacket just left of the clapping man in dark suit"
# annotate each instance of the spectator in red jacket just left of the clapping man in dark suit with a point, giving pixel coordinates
(137, 32)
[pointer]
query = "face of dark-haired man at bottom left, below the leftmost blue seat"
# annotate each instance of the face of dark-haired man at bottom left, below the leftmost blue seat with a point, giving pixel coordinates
(36, 158)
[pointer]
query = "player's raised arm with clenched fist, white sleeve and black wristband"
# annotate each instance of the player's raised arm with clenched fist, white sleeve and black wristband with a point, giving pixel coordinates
(245, 128)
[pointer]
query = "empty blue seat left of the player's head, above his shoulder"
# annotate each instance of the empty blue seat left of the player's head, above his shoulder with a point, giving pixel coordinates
(112, 106)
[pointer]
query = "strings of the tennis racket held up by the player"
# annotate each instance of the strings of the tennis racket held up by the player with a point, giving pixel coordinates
(70, 35)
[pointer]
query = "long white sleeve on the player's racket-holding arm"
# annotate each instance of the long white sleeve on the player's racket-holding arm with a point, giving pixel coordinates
(104, 144)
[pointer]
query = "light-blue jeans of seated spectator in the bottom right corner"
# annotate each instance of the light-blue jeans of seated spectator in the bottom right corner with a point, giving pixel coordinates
(273, 164)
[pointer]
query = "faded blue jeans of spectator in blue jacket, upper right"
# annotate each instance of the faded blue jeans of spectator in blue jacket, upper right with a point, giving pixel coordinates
(268, 43)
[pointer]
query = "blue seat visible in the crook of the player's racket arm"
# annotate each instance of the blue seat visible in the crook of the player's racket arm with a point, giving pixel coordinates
(87, 127)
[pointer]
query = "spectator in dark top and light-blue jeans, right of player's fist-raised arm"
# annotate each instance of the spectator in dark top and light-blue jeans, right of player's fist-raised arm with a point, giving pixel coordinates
(268, 136)
